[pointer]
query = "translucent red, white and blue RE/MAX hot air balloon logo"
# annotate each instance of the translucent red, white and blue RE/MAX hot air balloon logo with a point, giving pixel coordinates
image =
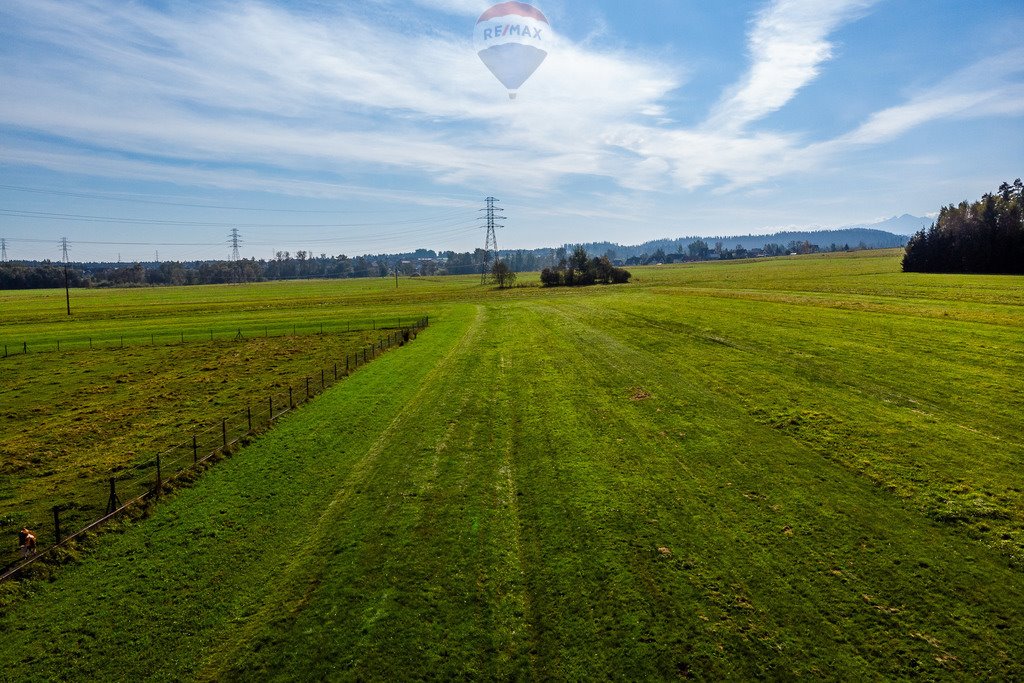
(513, 39)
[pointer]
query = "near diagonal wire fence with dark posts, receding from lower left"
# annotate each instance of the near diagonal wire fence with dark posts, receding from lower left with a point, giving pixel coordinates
(144, 482)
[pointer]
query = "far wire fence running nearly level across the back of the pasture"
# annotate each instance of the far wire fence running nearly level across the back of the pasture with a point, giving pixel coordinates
(117, 340)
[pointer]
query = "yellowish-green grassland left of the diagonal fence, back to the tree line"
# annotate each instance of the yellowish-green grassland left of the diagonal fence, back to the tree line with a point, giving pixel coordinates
(139, 371)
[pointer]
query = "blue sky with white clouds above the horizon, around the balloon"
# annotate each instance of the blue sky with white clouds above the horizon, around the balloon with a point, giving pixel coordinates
(134, 129)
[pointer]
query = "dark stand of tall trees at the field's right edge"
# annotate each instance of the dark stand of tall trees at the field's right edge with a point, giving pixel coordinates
(987, 237)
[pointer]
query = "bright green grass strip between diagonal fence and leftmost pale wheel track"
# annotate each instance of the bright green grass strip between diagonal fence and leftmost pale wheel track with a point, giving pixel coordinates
(262, 518)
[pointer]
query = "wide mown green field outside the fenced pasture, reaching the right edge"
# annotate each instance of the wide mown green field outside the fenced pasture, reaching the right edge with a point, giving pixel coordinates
(777, 468)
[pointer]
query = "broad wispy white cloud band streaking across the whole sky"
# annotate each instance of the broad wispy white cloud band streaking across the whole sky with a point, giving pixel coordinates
(266, 93)
